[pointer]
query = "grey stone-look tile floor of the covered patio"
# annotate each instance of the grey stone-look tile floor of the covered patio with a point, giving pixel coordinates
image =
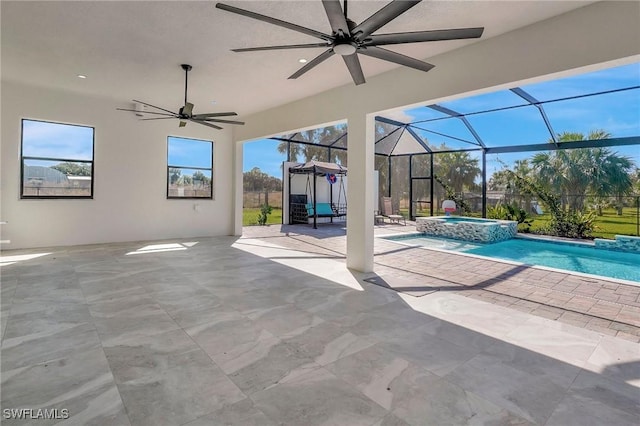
(218, 331)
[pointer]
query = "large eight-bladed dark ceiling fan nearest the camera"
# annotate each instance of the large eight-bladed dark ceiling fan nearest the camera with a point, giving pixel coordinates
(349, 39)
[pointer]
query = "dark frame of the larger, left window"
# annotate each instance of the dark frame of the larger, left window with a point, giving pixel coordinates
(62, 160)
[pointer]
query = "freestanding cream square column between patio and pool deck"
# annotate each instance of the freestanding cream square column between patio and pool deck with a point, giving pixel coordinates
(359, 200)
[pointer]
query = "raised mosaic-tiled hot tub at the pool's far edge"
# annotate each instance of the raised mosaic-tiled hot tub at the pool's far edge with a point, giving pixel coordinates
(468, 228)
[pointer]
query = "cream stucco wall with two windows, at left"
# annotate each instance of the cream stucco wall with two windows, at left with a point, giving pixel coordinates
(130, 177)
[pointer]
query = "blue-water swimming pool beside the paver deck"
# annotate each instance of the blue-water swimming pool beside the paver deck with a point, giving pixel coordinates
(560, 255)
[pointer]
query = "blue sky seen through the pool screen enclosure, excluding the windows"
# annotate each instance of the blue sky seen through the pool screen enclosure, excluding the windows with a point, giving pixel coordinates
(617, 113)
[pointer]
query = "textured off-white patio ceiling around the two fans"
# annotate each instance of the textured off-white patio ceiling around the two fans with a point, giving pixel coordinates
(134, 49)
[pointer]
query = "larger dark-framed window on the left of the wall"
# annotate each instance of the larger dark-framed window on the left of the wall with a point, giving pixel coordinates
(57, 160)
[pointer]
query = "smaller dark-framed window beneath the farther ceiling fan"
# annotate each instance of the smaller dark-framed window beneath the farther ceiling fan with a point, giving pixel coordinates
(189, 168)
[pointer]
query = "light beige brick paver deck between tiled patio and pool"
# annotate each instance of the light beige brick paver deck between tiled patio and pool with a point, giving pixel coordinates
(607, 307)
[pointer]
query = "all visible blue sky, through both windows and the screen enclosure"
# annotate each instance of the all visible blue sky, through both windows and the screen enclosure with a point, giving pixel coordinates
(617, 113)
